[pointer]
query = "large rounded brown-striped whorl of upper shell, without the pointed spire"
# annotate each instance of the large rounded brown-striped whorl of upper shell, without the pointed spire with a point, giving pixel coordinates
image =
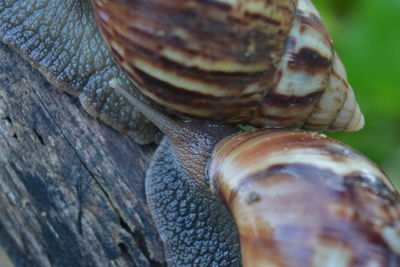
(209, 57)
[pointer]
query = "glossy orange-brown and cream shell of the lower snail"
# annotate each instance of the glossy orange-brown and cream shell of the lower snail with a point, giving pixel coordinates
(302, 199)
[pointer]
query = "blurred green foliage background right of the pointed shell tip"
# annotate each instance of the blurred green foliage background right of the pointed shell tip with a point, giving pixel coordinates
(366, 36)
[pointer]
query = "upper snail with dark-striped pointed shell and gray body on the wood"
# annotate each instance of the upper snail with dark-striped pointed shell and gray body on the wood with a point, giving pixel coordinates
(291, 76)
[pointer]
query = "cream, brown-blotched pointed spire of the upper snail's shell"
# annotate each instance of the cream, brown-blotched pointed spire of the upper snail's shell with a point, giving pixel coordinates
(310, 89)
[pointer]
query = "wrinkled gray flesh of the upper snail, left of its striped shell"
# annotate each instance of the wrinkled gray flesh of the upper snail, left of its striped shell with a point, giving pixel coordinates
(61, 39)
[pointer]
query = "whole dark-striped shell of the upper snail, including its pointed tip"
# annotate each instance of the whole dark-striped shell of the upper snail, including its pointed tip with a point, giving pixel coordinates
(267, 63)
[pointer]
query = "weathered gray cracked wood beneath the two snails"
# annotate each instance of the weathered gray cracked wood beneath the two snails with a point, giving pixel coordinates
(71, 188)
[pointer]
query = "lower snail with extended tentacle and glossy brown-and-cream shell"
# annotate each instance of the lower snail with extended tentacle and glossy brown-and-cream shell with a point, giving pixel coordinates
(297, 198)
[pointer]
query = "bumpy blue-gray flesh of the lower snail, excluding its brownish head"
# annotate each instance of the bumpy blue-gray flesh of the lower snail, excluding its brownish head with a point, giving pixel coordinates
(197, 230)
